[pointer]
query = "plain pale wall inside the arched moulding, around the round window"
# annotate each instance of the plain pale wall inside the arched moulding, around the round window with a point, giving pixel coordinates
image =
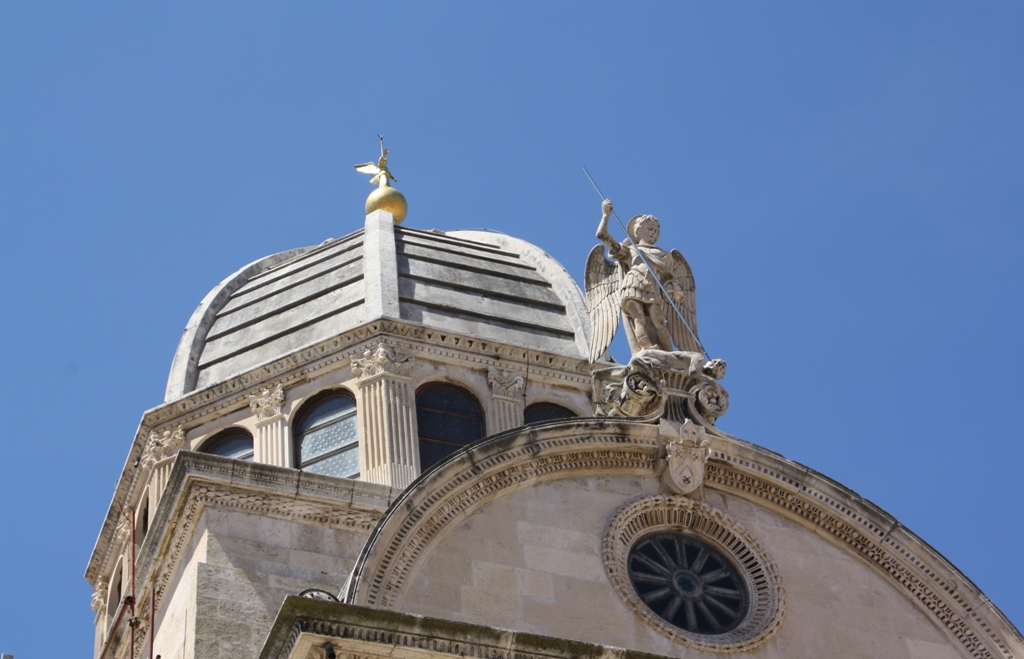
(532, 562)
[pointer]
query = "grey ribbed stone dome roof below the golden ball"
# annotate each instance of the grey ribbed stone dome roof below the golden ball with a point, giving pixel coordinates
(477, 284)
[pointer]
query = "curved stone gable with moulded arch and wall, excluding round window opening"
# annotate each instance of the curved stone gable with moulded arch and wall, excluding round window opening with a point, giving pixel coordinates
(509, 533)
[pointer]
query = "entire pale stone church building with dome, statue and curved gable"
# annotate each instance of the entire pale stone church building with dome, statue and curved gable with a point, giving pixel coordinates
(414, 445)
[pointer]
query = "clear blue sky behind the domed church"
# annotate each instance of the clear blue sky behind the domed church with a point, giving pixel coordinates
(845, 180)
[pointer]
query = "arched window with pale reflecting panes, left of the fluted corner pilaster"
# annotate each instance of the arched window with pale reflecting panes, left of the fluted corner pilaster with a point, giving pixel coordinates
(326, 438)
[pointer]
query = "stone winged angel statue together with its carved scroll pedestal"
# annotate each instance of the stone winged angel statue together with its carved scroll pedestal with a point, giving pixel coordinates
(654, 292)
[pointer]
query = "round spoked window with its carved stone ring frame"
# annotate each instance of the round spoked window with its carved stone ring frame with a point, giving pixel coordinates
(693, 574)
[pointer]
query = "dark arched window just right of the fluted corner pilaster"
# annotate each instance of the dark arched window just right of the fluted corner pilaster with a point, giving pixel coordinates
(449, 419)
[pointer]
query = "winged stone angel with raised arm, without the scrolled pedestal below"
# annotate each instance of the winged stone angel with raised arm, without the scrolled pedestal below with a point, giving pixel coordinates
(628, 285)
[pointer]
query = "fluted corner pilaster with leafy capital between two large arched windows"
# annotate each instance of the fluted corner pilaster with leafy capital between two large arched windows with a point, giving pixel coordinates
(391, 453)
